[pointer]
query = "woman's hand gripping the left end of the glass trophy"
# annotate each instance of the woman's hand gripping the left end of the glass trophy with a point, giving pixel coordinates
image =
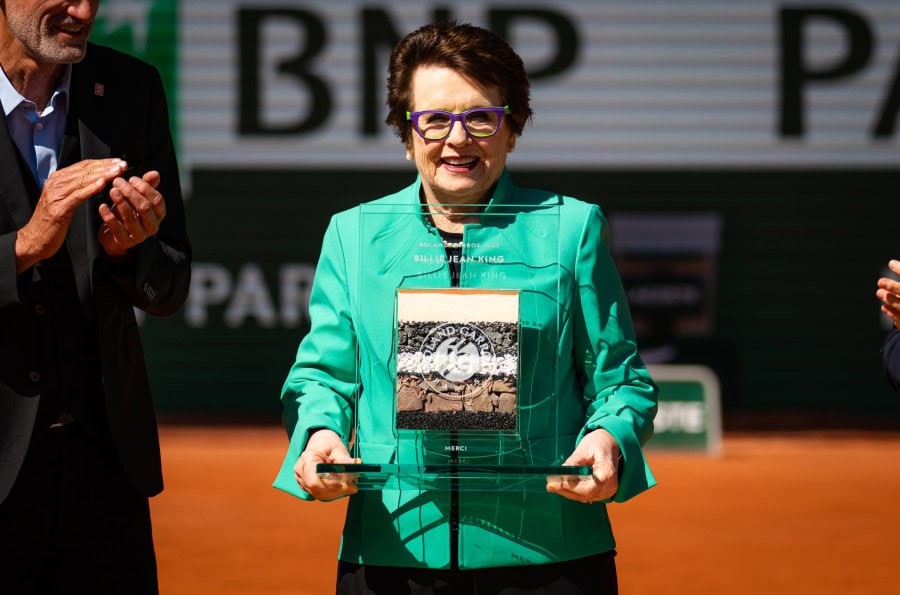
(324, 446)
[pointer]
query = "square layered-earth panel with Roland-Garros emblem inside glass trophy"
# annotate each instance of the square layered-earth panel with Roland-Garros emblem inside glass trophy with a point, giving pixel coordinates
(457, 360)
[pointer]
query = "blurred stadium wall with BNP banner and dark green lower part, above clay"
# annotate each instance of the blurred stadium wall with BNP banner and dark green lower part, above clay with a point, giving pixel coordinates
(744, 152)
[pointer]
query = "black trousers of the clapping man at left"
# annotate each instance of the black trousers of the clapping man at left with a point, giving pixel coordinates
(74, 523)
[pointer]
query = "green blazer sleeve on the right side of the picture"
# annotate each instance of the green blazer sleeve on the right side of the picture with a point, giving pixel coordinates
(619, 393)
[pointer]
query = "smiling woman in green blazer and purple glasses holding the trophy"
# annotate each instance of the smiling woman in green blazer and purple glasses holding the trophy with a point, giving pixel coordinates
(459, 99)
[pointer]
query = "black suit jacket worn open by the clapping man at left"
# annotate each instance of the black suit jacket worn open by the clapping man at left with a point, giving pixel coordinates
(117, 108)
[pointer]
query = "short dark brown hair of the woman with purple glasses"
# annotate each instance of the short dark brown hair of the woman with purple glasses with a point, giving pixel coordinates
(473, 52)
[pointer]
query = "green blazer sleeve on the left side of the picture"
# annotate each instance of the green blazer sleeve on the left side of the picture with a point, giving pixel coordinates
(322, 383)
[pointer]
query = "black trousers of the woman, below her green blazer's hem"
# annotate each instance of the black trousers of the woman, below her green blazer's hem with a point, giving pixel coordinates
(595, 575)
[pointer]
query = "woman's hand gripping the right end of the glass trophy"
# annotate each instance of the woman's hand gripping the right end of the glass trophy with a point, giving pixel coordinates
(600, 451)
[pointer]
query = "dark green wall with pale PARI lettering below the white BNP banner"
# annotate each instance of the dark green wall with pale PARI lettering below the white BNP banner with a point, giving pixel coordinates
(797, 324)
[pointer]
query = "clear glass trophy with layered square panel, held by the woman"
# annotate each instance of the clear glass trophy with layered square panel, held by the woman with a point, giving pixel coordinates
(458, 367)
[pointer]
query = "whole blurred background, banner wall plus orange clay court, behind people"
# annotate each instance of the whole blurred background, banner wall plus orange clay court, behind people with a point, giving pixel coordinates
(746, 156)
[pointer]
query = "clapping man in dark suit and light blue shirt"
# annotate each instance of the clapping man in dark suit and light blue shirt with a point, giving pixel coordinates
(91, 226)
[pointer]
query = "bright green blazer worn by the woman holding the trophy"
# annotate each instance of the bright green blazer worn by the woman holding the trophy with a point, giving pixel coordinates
(343, 376)
